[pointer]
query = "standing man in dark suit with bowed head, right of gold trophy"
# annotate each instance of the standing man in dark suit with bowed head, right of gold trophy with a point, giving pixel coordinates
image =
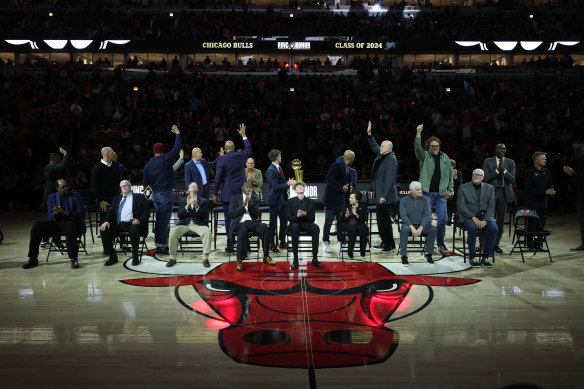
(338, 181)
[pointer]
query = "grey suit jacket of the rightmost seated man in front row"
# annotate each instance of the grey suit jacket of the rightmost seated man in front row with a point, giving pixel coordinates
(469, 205)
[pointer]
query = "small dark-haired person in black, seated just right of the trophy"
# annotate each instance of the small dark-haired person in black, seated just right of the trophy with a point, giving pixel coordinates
(355, 223)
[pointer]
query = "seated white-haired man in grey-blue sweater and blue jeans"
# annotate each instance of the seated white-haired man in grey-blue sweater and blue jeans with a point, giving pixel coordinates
(416, 218)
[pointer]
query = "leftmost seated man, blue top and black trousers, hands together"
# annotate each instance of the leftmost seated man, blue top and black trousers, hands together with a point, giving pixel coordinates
(65, 214)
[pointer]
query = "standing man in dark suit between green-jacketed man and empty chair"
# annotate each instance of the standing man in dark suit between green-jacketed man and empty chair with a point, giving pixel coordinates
(500, 172)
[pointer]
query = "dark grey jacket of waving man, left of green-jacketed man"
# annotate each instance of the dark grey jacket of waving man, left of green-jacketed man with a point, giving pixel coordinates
(385, 174)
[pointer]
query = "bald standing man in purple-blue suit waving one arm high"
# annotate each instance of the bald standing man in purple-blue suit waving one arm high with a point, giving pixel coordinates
(230, 176)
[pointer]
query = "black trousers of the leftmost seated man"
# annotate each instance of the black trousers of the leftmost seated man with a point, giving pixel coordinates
(46, 228)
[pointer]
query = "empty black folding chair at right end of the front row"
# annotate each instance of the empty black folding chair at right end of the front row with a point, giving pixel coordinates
(528, 234)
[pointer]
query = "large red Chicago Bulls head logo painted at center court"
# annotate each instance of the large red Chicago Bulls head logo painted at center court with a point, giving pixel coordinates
(327, 318)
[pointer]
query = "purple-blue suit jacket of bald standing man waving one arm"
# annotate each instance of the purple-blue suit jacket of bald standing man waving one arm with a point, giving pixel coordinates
(229, 176)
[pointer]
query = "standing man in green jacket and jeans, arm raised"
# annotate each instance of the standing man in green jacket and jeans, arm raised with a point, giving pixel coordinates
(436, 177)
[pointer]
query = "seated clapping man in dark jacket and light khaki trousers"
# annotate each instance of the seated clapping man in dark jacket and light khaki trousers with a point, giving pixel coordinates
(193, 212)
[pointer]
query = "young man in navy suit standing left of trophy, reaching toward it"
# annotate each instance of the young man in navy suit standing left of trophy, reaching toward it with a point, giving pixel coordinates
(277, 198)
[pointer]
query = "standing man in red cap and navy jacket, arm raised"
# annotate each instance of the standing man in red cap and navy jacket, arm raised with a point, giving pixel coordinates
(159, 175)
